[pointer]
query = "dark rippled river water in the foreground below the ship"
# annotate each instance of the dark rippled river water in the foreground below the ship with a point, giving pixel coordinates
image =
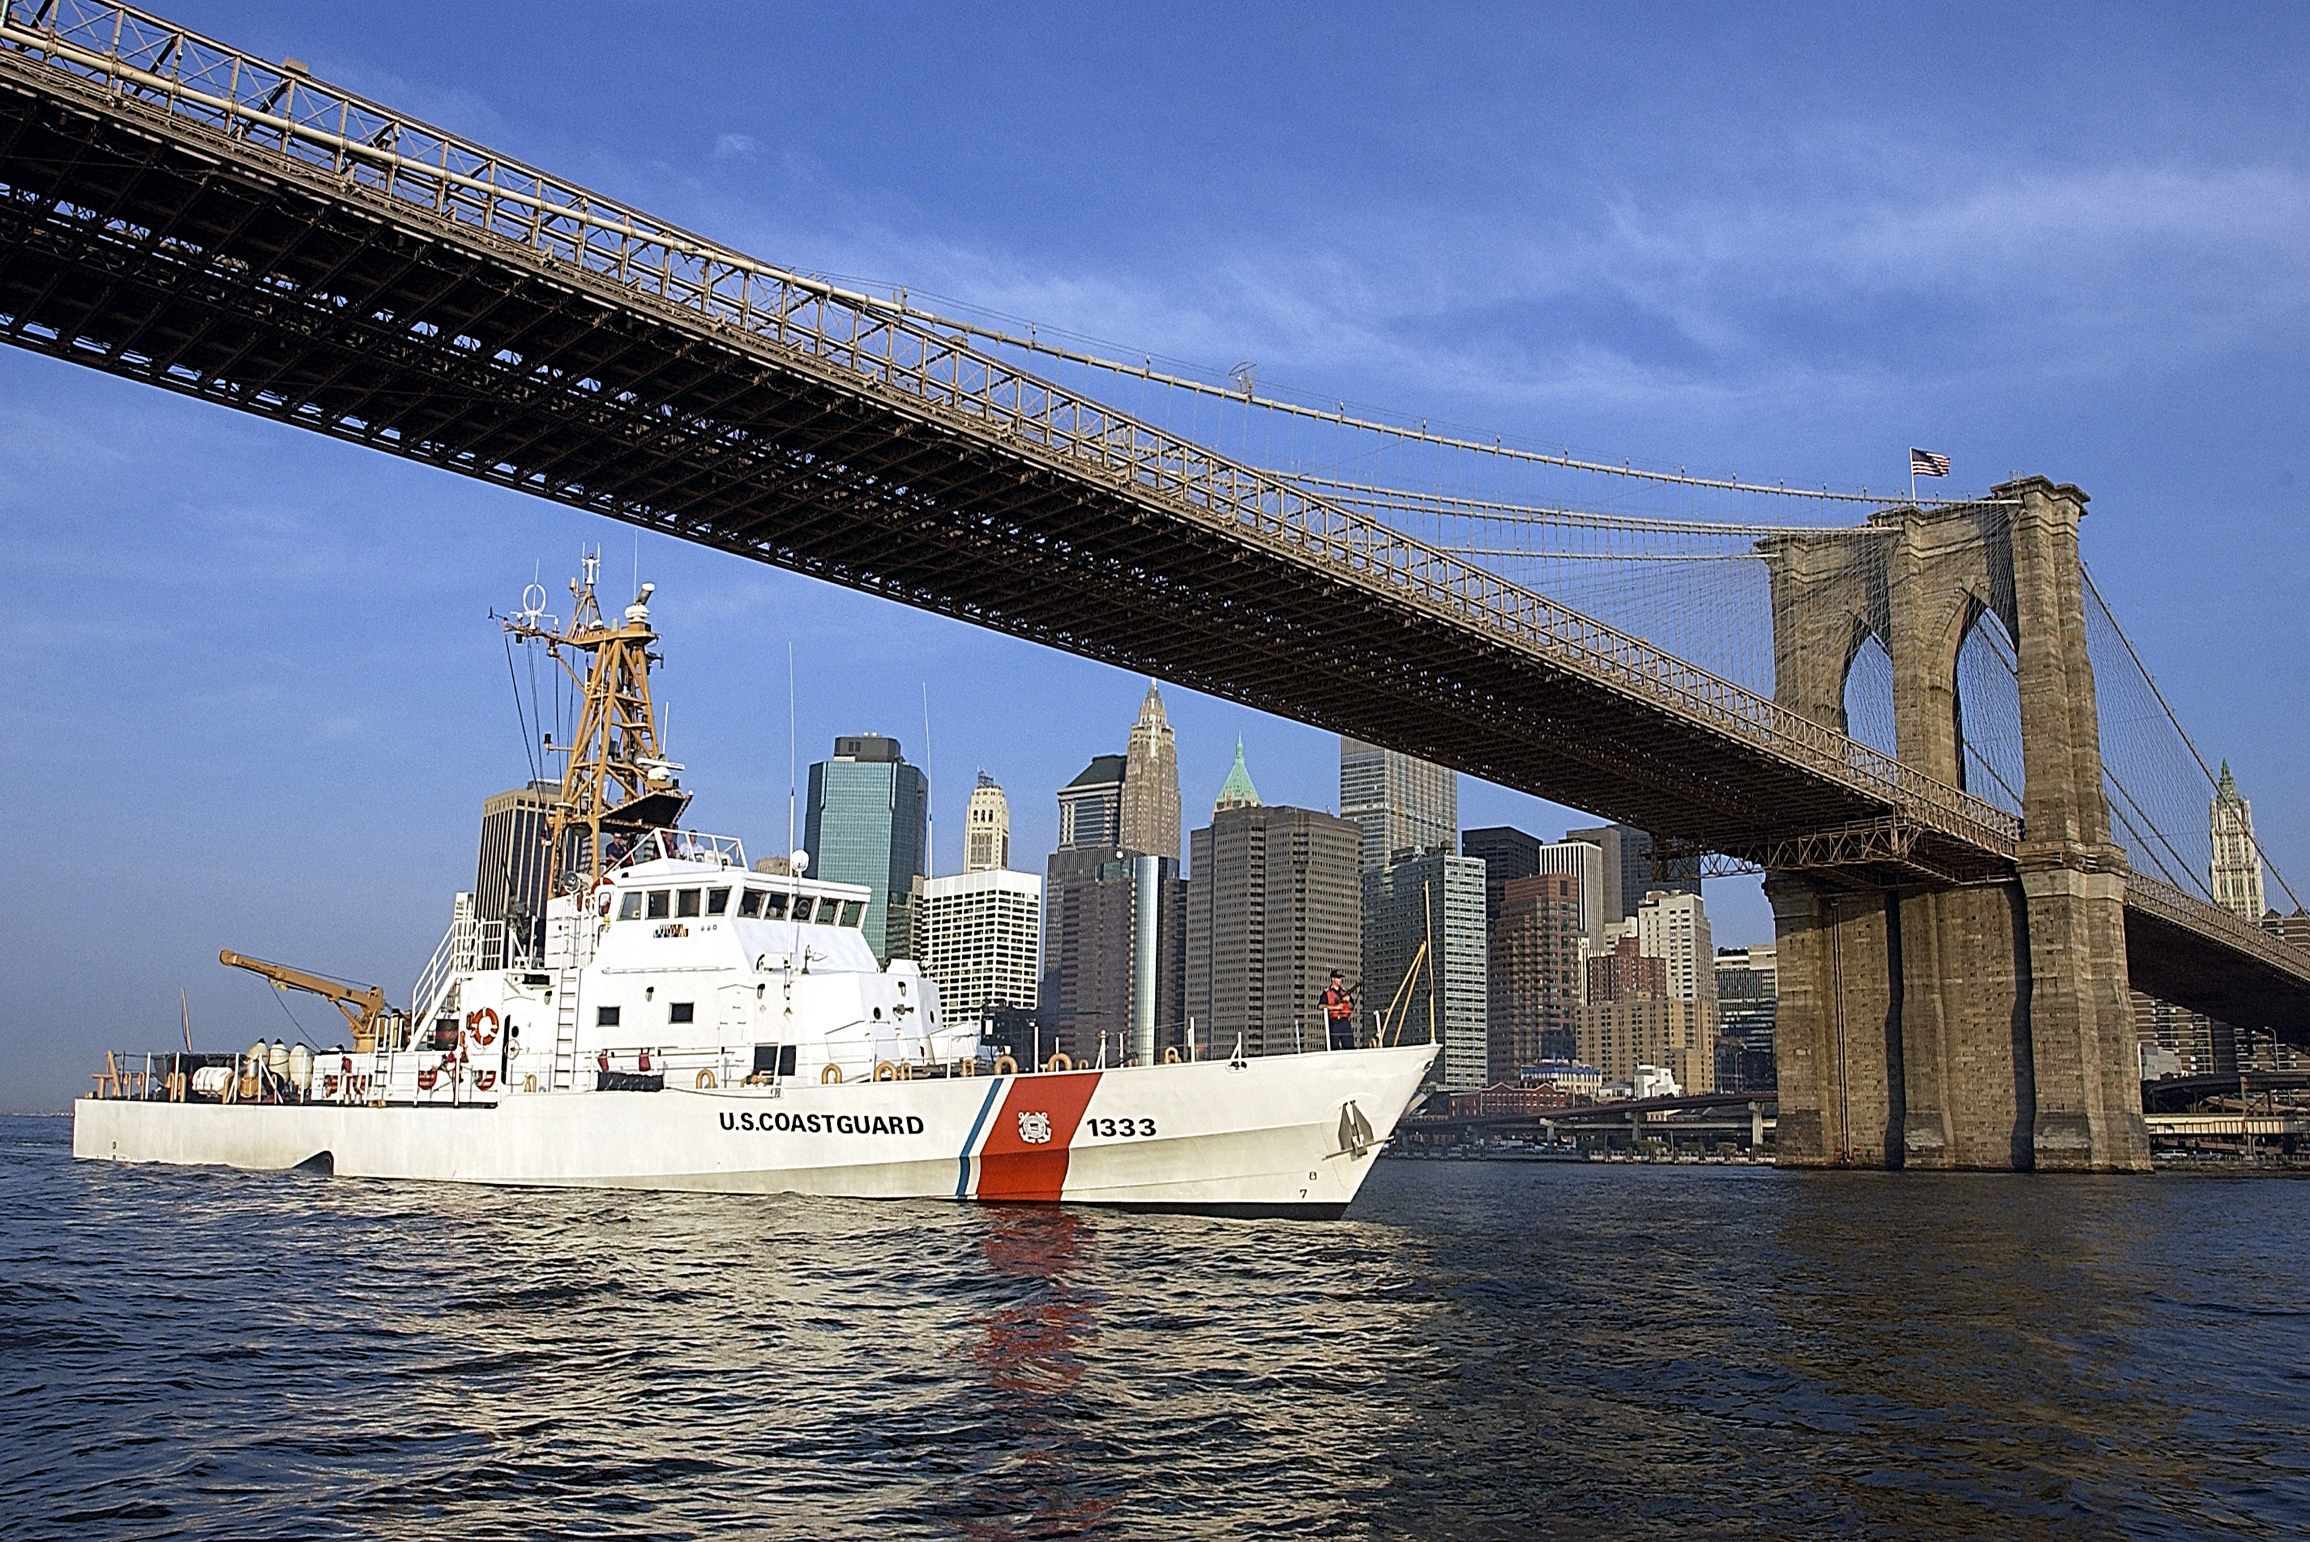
(1482, 1352)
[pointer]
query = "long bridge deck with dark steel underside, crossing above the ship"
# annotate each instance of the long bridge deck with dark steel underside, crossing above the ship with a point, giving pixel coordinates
(195, 218)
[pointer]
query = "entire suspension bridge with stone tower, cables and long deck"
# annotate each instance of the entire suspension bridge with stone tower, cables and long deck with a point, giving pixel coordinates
(1979, 816)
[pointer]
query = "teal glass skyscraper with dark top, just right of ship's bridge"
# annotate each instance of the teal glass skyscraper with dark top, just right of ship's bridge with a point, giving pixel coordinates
(867, 825)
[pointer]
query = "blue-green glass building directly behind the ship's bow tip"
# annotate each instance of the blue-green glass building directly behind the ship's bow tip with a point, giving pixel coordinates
(1433, 899)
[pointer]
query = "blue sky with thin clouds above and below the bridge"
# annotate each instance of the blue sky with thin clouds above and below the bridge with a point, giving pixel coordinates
(258, 698)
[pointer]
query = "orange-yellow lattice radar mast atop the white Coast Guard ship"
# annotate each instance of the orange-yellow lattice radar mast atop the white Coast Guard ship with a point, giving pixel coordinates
(618, 781)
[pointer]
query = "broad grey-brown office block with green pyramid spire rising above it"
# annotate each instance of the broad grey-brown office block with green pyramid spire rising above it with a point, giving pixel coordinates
(1274, 908)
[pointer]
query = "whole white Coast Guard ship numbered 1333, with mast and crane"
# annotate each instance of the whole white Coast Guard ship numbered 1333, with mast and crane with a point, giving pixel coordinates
(685, 1021)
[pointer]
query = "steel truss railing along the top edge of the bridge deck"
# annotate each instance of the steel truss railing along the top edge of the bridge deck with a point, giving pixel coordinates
(278, 112)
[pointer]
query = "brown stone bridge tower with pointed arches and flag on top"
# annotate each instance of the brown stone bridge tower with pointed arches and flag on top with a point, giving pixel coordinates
(1925, 1019)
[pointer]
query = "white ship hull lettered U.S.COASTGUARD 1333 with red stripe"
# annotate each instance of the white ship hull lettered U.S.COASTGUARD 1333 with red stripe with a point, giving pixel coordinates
(1295, 1135)
